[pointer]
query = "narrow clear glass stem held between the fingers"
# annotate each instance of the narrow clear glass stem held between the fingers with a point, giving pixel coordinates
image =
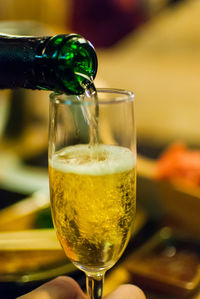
(94, 285)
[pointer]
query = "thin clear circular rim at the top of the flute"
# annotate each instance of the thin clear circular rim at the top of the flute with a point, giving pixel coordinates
(126, 96)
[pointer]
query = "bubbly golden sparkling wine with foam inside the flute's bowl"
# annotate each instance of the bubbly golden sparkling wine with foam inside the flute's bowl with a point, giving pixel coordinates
(93, 203)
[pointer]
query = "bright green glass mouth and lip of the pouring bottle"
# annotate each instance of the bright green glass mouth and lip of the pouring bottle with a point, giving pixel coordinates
(78, 63)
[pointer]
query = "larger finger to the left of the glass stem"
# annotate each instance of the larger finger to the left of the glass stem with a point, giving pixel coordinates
(60, 288)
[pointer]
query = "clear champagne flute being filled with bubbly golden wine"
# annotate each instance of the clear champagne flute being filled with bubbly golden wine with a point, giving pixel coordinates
(93, 184)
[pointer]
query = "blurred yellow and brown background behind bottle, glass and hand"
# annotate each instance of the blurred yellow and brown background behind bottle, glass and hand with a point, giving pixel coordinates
(151, 47)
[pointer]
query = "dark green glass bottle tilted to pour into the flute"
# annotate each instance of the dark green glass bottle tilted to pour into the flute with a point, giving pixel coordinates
(62, 63)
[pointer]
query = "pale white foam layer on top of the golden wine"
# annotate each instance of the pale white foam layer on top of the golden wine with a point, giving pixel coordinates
(72, 159)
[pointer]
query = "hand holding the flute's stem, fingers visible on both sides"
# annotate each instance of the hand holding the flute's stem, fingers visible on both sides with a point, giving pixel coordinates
(66, 288)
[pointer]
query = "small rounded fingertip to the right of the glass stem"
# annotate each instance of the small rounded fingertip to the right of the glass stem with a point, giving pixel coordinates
(126, 291)
